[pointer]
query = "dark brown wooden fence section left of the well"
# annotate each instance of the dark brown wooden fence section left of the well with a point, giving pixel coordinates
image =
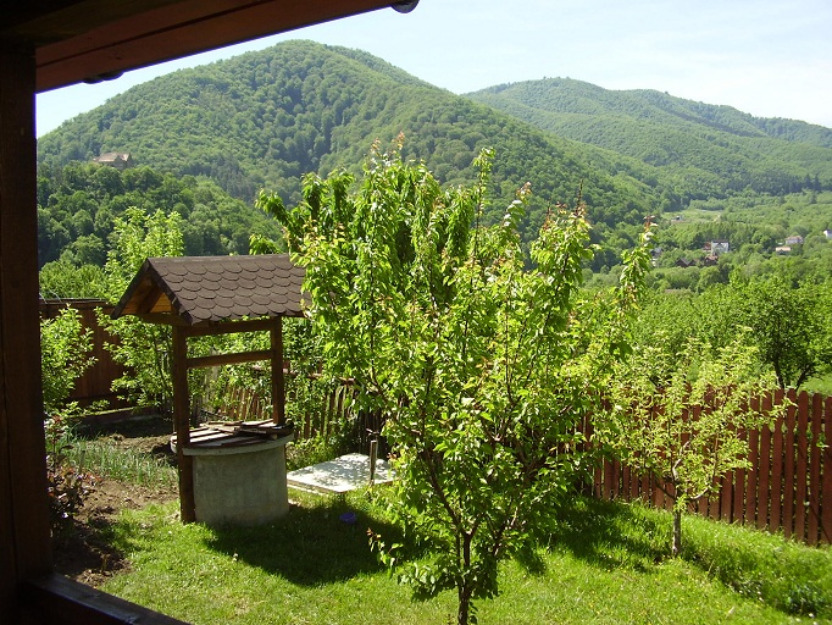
(96, 382)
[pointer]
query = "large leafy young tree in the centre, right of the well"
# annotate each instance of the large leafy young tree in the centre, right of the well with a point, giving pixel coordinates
(484, 369)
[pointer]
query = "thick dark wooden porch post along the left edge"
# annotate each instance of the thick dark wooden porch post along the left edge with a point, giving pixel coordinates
(24, 510)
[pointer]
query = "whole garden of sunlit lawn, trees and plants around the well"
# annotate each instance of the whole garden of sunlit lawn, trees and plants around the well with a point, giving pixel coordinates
(502, 383)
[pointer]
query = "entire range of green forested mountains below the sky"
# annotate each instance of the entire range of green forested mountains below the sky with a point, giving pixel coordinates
(263, 119)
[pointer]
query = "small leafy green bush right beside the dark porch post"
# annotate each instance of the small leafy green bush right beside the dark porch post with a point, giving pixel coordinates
(65, 355)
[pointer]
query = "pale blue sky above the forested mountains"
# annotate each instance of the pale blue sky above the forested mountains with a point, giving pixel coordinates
(770, 58)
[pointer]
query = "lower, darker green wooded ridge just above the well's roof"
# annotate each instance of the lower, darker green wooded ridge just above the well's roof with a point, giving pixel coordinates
(78, 206)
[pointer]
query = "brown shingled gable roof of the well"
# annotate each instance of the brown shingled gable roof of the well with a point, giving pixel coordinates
(203, 289)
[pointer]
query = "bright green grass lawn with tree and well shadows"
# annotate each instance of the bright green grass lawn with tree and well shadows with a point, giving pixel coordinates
(603, 563)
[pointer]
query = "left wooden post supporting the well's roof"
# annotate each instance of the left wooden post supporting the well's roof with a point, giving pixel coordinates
(181, 420)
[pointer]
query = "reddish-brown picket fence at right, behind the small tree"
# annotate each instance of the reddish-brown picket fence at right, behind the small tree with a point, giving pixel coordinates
(787, 489)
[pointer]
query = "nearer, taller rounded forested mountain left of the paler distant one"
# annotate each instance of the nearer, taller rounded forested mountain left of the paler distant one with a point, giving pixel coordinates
(264, 119)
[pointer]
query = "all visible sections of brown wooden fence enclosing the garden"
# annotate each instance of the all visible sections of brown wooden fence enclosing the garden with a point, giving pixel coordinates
(788, 488)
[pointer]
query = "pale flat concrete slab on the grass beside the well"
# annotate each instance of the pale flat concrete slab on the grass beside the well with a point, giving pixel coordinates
(340, 475)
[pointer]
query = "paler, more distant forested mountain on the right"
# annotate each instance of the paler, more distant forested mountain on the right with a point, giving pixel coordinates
(707, 150)
